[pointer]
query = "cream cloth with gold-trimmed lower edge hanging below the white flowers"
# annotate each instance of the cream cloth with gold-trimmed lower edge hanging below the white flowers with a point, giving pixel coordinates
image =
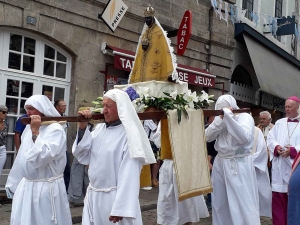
(189, 152)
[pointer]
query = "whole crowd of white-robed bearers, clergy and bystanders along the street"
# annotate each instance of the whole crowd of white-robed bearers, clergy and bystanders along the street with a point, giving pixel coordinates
(108, 159)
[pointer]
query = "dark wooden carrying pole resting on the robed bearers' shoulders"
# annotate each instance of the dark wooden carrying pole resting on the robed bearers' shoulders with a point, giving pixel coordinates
(149, 114)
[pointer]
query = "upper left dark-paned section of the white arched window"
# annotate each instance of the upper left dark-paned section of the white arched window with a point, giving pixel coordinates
(21, 53)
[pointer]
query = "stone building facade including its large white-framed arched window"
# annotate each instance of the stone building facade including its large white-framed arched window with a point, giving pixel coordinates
(53, 47)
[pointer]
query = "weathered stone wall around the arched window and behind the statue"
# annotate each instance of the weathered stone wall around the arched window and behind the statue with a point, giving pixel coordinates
(74, 26)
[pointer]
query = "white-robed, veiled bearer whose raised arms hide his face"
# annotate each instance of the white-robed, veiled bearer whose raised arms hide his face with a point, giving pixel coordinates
(234, 196)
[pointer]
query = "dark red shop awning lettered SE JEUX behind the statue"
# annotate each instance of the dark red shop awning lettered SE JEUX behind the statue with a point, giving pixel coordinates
(124, 61)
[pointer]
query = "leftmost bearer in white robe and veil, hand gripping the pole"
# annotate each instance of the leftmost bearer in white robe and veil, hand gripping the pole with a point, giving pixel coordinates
(36, 179)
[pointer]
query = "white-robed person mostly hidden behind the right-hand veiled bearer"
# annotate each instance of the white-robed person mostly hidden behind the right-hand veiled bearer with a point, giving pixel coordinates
(260, 159)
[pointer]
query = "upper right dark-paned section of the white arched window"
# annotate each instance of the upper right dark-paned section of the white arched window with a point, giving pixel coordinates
(55, 63)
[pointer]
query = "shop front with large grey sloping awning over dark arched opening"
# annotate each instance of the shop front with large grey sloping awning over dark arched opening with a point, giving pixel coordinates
(264, 74)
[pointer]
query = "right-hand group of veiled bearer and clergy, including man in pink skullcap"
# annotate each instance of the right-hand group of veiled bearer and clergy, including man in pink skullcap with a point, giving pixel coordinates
(255, 168)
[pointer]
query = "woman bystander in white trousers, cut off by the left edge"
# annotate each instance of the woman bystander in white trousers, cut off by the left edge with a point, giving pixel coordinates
(3, 136)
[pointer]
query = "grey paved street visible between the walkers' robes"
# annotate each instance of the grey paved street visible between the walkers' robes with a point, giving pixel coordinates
(148, 202)
